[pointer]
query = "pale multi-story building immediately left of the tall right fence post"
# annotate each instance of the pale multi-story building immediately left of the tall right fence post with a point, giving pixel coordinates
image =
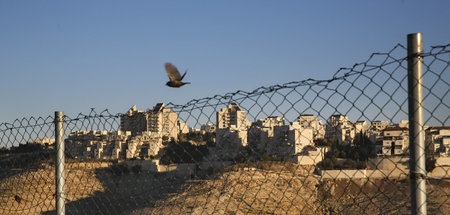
(395, 141)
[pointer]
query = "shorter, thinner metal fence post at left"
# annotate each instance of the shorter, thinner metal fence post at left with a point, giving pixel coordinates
(60, 176)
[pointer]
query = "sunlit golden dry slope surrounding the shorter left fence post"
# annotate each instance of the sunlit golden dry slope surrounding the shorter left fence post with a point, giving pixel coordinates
(36, 188)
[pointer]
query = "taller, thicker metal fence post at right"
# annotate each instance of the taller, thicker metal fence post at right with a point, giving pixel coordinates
(416, 125)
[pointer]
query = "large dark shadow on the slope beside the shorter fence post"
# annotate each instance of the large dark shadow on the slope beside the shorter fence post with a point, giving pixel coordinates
(126, 190)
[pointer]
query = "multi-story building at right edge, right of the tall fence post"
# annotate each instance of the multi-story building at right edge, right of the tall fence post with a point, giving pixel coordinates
(438, 139)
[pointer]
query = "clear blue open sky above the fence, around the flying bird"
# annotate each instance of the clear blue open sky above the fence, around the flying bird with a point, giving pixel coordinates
(74, 55)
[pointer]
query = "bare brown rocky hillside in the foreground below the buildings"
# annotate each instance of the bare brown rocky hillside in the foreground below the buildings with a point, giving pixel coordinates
(269, 188)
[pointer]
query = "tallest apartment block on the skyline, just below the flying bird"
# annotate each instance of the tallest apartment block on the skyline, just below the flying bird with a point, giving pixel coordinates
(160, 120)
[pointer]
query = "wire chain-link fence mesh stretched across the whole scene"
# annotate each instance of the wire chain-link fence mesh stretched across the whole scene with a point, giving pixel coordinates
(337, 146)
